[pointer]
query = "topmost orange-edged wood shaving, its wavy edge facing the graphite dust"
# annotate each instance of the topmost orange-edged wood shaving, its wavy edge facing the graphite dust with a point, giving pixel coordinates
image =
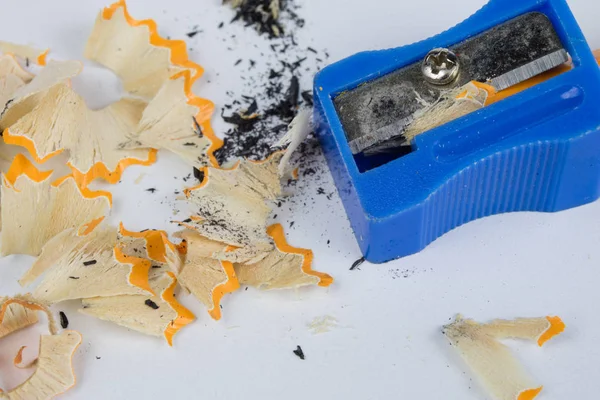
(148, 63)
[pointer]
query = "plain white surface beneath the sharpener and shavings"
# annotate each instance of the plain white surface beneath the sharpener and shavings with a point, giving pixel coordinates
(387, 342)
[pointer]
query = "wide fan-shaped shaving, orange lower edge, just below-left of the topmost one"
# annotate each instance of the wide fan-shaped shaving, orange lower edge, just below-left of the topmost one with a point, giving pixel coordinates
(97, 157)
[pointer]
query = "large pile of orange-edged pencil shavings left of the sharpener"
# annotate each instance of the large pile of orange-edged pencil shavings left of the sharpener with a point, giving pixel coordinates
(129, 278)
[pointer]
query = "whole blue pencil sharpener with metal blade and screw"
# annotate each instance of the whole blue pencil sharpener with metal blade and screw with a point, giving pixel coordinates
(499, 114)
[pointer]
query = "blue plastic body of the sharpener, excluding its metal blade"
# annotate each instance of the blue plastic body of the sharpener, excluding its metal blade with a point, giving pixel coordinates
(538, 150)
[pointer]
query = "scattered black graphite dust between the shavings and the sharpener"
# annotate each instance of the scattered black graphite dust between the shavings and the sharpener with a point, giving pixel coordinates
(275, 95)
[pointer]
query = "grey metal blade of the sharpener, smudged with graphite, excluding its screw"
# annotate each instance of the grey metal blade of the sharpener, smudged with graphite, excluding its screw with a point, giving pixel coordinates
(376, 114)
